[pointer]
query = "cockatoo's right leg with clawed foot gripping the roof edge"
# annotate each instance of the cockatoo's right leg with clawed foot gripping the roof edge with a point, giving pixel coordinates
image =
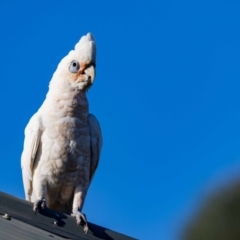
(78, 200)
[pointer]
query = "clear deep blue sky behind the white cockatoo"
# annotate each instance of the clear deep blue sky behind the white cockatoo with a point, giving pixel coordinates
(166, 95)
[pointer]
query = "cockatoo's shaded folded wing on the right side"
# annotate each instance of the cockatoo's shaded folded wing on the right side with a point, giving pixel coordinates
(96, 143)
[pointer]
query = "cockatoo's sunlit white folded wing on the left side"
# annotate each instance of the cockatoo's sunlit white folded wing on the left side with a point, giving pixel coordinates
(31, 142)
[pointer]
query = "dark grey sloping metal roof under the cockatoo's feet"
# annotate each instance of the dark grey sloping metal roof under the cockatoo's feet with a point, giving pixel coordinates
(24, 224)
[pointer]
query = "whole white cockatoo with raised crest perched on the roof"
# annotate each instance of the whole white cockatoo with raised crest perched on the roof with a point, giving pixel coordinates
(62, 140)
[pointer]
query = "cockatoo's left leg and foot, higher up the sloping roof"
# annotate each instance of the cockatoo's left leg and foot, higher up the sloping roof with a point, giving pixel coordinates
(40, 191)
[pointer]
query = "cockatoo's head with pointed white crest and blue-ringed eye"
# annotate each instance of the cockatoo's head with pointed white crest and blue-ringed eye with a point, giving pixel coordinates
(77, 69)
